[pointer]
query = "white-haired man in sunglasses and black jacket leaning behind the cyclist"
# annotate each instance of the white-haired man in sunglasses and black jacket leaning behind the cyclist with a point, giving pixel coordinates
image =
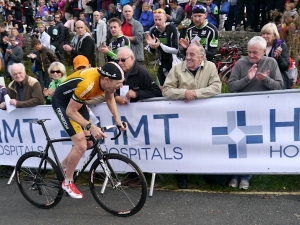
(141, 83)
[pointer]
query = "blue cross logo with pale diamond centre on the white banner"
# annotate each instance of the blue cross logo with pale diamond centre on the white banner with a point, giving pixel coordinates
(237, 135)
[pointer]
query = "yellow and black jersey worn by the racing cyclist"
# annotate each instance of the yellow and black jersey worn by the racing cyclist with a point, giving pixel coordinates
(80, 86)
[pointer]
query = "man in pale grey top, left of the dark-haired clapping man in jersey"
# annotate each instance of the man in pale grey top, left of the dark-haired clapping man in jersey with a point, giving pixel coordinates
(99, 35)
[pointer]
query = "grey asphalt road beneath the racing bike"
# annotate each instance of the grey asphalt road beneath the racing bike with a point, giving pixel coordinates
(165, 207)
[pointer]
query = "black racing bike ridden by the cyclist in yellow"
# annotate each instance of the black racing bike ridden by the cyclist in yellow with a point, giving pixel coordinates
(117, 184)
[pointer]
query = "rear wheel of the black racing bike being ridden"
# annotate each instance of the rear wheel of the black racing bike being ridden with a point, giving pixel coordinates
(45, 192)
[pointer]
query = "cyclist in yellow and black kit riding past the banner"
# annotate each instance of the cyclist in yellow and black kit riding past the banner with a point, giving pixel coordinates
(68, 103)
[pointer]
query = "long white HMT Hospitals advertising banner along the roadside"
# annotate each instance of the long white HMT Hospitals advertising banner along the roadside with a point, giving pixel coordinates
(225, 134)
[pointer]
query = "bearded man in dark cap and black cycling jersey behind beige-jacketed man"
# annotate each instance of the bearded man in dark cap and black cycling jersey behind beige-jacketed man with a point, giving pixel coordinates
(202, 31)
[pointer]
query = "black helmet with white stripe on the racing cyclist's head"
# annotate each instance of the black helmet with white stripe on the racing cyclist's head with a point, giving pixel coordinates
(111, 70)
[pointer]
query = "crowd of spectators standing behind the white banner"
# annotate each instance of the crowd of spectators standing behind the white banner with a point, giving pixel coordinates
(112, 33)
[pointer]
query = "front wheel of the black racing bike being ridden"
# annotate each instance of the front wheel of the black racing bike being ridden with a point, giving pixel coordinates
(124, 191)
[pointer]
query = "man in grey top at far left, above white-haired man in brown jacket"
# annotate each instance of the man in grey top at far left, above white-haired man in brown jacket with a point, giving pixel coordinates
(14, 54)
